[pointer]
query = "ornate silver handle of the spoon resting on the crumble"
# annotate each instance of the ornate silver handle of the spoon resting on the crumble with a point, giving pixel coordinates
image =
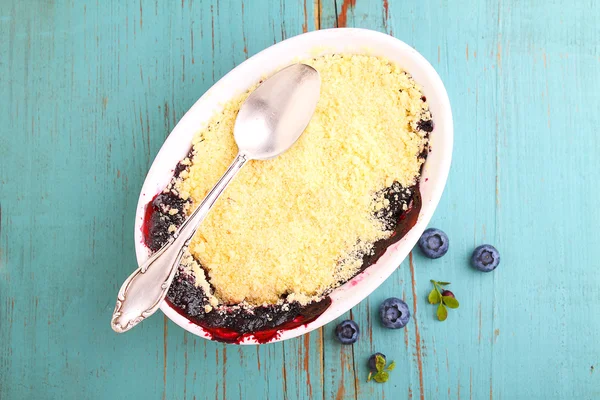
(141, 294)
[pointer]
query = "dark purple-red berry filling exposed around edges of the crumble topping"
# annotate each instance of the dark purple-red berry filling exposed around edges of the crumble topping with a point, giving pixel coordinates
(233, 323)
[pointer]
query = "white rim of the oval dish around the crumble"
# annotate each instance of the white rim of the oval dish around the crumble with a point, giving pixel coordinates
(367, 281)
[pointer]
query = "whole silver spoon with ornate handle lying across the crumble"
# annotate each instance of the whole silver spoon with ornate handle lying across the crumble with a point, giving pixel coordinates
(269, 122)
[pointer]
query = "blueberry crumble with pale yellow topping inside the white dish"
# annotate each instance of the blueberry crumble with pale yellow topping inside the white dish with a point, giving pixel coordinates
(288, 231)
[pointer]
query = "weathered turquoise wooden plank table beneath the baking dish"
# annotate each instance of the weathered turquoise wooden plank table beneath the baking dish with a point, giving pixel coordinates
(88, 92)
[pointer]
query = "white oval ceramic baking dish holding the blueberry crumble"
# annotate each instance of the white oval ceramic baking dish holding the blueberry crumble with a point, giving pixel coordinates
(346, 41)
